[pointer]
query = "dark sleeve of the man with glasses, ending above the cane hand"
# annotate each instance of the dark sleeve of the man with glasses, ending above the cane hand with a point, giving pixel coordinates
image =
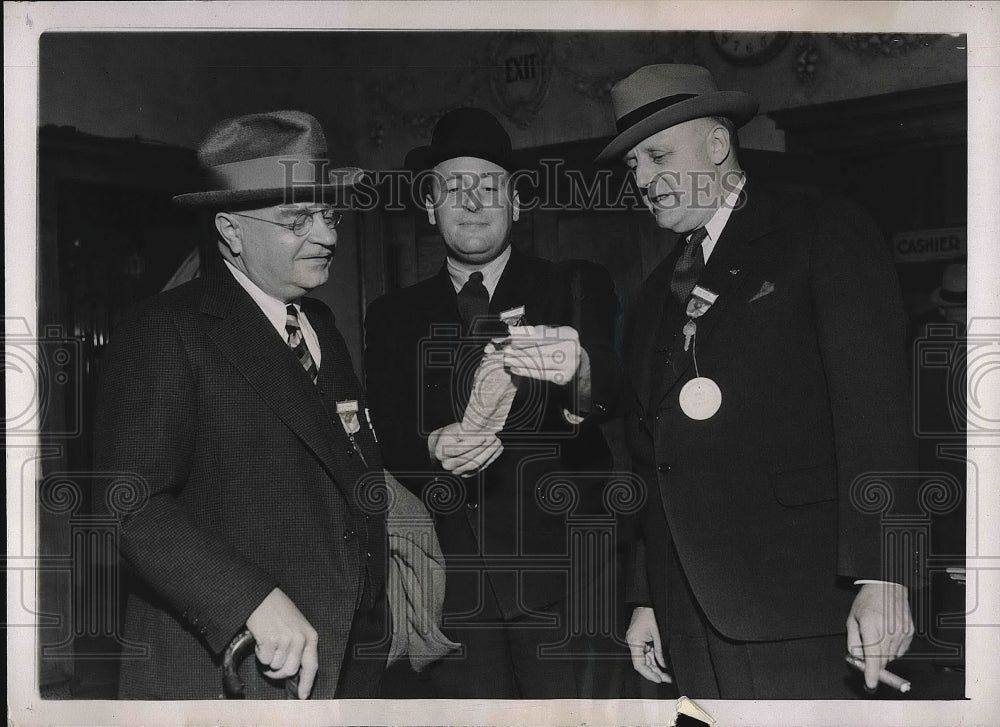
(146, 428)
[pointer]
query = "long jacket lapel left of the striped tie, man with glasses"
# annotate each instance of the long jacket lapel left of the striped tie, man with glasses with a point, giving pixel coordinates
(245, 336)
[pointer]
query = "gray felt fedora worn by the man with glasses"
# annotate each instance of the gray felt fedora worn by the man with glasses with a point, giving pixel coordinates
(273, 157)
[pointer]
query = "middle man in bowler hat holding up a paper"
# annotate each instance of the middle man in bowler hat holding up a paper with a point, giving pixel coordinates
(503, 498)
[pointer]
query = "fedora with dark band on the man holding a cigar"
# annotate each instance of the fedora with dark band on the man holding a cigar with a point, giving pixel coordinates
(657, 97)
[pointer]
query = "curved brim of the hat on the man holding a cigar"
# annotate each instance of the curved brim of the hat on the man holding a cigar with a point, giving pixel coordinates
(736, 105)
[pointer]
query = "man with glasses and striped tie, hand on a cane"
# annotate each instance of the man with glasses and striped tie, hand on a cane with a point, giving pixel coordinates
(232, 404)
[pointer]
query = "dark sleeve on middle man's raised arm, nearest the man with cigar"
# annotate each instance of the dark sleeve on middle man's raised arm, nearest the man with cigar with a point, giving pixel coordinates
(593, 314)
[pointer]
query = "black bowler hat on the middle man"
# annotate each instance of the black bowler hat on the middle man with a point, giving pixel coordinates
(463, 132)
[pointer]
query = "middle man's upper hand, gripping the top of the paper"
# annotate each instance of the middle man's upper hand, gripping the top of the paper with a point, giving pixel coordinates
(546, 353)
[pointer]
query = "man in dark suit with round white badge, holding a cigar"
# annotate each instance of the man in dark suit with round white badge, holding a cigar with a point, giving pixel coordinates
(768, 404)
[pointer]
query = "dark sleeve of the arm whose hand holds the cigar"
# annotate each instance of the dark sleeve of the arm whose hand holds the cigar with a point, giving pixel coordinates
(862, 337)
